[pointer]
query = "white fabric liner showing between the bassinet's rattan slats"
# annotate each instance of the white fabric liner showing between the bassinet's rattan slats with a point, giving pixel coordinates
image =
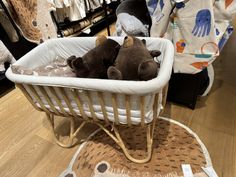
(122, 114)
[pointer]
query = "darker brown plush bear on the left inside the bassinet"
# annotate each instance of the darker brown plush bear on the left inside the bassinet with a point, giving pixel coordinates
(94, 64)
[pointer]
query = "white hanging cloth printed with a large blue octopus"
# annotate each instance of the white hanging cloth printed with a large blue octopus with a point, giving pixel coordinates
(194, 36)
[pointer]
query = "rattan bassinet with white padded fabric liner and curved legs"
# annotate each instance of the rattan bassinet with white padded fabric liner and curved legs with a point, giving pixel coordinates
(100, 101)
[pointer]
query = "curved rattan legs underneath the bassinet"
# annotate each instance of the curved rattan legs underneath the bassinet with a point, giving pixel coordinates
(113, 133)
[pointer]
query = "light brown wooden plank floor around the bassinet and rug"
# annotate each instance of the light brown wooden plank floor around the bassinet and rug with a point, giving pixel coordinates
(27, 147)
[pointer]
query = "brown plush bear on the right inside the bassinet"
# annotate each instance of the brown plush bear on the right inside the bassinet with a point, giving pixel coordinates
(134, 61)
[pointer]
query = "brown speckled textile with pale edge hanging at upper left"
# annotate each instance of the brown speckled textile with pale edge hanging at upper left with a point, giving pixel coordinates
(33, 19)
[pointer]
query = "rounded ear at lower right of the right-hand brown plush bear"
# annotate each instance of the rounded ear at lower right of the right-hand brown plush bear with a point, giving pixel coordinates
(147, 70)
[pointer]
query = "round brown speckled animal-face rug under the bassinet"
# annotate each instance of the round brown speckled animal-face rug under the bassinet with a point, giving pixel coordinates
(174, 144)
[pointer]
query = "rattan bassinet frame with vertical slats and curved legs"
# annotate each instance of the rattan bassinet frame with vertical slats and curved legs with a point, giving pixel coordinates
(103, 125)
